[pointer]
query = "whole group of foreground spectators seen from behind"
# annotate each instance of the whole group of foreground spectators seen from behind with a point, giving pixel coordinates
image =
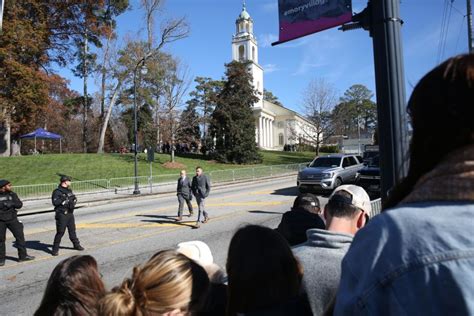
(416, 258)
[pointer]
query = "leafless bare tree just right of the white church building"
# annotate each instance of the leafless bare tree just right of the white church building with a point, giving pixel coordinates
(319, 98)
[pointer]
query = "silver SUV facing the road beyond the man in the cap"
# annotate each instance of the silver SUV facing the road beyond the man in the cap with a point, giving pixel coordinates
(328, 172)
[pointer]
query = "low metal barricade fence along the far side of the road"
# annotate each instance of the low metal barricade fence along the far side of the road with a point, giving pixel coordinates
(114, 185)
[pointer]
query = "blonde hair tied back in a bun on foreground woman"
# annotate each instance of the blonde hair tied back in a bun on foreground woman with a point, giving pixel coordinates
(161, 285)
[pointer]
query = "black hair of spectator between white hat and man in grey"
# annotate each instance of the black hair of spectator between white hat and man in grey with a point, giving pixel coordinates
(262, 270)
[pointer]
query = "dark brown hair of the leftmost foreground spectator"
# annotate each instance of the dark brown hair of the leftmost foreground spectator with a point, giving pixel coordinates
(74, 288)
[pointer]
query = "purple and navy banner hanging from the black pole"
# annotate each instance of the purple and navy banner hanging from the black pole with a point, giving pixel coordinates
(303, 17)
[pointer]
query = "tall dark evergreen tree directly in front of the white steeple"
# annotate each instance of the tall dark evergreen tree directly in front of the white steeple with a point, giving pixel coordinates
(233, 122)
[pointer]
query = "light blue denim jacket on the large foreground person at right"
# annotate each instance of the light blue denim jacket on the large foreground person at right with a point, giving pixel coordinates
(417, 259)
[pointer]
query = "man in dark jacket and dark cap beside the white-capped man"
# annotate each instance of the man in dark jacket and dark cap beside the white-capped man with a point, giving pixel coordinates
(303, 216)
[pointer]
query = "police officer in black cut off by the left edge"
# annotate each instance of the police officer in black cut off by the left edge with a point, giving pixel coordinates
(9, 203)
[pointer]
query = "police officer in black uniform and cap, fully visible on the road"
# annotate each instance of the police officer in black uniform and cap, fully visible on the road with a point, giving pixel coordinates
(64, 202)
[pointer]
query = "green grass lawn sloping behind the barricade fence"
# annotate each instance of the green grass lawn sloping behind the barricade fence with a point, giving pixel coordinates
(43, 168)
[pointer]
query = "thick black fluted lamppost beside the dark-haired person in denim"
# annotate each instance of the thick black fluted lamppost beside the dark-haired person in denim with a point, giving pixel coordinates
(390, 89)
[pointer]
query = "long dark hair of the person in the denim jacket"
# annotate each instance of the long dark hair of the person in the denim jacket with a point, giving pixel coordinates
(441, 108)
